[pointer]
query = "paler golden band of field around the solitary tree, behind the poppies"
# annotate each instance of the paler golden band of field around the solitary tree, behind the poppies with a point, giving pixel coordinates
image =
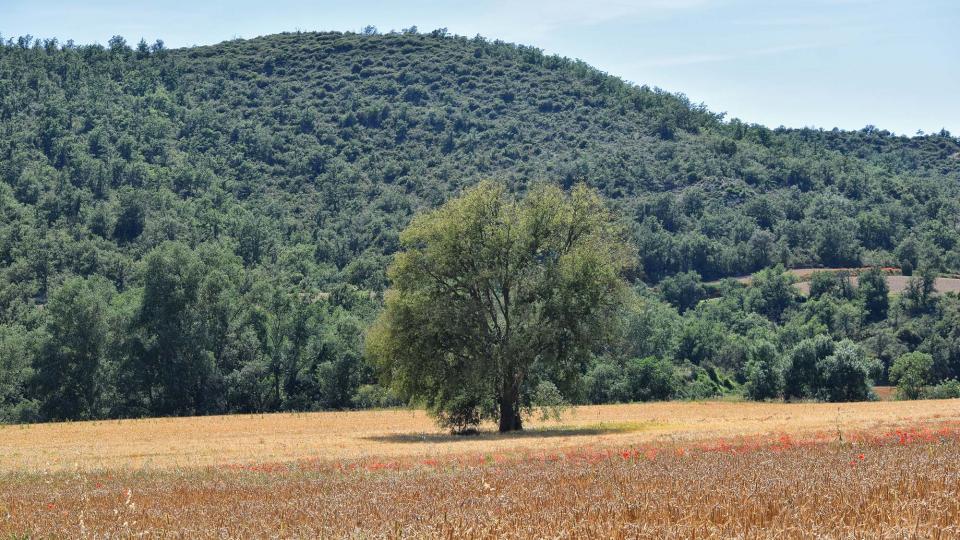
(218, 440)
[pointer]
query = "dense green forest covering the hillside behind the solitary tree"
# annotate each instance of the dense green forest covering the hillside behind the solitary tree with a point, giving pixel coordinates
(206, 230)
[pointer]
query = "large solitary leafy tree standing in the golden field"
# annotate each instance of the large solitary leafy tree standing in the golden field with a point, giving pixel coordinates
(491, 294)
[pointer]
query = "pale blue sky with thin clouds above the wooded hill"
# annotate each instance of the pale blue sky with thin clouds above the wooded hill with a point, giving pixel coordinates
(820, 63)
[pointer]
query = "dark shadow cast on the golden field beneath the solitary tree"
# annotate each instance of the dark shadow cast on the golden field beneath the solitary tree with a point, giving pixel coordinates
(536, 433)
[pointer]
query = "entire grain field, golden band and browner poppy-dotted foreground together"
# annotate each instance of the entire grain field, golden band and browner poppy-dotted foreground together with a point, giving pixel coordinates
(665, 470)
